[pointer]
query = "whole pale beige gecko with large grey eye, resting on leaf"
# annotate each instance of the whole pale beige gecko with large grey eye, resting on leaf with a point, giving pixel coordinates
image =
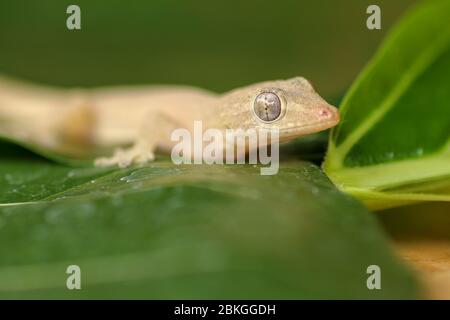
(143, 117)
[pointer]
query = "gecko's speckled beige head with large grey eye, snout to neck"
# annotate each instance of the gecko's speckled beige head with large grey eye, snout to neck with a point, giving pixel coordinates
(291, 106)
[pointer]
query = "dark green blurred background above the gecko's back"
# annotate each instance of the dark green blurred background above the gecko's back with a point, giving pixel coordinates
(218, 45)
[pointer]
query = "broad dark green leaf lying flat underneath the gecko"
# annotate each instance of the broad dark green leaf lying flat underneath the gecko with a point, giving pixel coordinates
(165, 231)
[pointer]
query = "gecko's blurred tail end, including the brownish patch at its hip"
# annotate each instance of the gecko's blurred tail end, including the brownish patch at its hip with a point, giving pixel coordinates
(45, 115)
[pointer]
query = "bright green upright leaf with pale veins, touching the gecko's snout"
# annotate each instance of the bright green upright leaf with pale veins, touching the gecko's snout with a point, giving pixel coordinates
(392, 146)
